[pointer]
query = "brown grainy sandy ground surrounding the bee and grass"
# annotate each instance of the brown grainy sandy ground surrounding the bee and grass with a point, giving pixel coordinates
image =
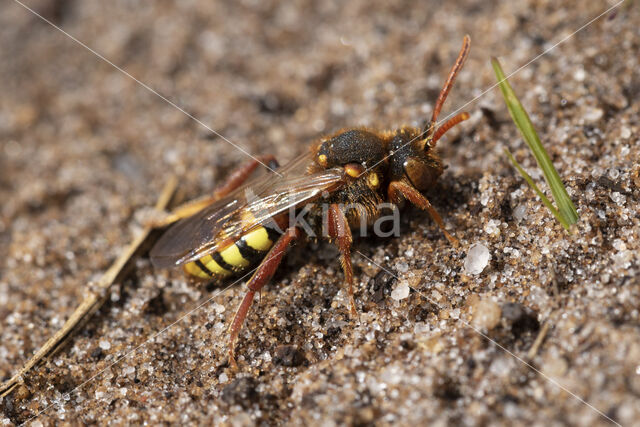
(85, 150)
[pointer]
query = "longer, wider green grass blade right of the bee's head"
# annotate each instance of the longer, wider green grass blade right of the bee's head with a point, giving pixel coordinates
(520, 117)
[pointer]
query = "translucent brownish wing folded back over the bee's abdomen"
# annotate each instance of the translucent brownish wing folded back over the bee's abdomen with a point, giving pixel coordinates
(255, 203)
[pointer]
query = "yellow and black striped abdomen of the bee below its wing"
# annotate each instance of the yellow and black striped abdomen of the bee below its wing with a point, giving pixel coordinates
(249, 250)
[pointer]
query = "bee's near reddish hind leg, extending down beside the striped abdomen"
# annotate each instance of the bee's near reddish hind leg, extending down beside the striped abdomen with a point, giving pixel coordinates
(260, 278)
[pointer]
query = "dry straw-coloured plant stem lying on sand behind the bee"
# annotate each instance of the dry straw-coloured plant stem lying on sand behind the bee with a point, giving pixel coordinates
(97, 295)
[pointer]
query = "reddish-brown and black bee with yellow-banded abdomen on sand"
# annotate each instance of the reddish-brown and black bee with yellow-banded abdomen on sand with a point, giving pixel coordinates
(249, 222)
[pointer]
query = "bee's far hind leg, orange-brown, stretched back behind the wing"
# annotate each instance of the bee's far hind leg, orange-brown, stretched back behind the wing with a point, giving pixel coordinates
(238, 177)
